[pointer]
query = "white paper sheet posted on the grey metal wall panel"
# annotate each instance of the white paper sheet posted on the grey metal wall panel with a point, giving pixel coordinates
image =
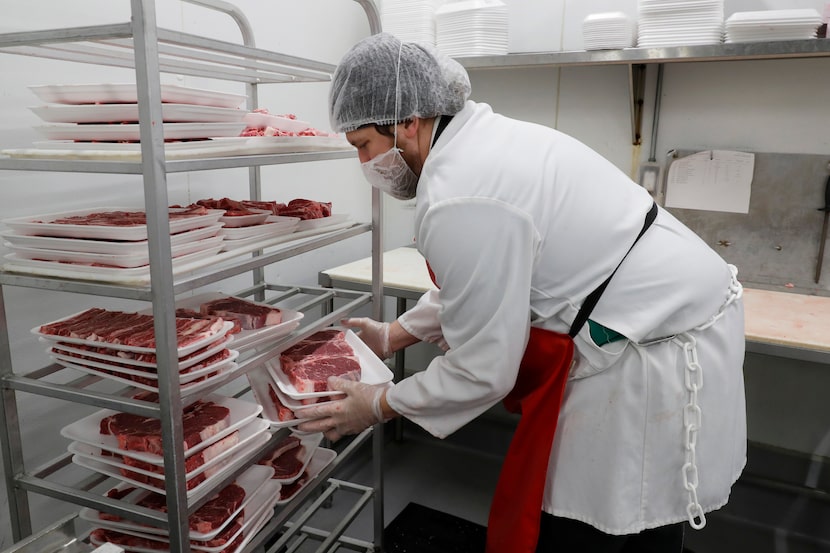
(714, 180)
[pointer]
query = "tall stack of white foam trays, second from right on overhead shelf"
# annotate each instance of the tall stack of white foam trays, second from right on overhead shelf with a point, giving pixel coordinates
(666, 23)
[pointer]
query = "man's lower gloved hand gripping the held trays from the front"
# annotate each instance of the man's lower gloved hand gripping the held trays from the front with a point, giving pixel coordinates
(360, 409)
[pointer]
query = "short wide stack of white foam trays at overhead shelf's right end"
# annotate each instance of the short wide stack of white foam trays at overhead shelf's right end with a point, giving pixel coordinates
(767, 25)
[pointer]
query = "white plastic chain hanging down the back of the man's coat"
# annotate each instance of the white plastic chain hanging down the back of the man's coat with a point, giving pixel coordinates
(692, 416)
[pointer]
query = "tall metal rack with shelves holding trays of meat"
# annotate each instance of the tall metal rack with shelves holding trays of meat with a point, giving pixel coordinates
(150, 50)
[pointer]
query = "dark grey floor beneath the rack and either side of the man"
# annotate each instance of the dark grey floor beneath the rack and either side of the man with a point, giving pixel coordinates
(769, 512)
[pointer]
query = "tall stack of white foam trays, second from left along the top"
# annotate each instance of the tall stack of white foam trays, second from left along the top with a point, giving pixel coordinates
(472, 28)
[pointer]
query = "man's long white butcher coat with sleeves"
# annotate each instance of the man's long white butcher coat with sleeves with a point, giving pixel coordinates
(519, 223)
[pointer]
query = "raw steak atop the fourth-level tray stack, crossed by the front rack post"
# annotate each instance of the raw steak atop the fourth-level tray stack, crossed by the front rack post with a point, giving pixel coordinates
(201, 420)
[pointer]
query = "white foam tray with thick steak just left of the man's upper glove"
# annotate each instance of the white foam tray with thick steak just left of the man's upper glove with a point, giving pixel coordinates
(254, 322)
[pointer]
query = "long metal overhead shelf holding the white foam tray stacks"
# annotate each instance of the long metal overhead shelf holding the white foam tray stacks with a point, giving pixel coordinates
(785, 49)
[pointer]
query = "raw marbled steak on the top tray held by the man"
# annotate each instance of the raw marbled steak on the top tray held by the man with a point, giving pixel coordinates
(309, 363)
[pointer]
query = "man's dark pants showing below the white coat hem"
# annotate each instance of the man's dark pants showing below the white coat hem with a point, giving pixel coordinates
(563, 535)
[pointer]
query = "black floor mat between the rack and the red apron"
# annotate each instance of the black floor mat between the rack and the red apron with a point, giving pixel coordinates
(419, 529)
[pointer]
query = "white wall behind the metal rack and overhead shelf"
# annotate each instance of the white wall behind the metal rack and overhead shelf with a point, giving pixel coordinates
(775, 106)
